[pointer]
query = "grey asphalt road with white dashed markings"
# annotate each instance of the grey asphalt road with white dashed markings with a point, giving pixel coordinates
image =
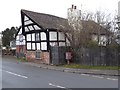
(19, 75)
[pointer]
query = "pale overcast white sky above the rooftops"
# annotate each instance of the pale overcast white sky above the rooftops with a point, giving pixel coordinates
(10, 9)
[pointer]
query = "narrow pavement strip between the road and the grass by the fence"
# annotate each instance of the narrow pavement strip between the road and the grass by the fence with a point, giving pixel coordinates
(77, 71)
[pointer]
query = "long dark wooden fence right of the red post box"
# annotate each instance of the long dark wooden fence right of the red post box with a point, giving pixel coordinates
(100, 56)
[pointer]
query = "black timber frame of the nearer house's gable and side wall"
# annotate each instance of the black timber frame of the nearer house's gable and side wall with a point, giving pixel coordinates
(29, 29)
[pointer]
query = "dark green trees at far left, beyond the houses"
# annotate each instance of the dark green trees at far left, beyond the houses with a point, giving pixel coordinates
(8, 35)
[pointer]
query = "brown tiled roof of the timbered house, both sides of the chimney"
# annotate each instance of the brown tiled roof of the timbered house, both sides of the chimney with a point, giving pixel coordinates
(48, 21)
